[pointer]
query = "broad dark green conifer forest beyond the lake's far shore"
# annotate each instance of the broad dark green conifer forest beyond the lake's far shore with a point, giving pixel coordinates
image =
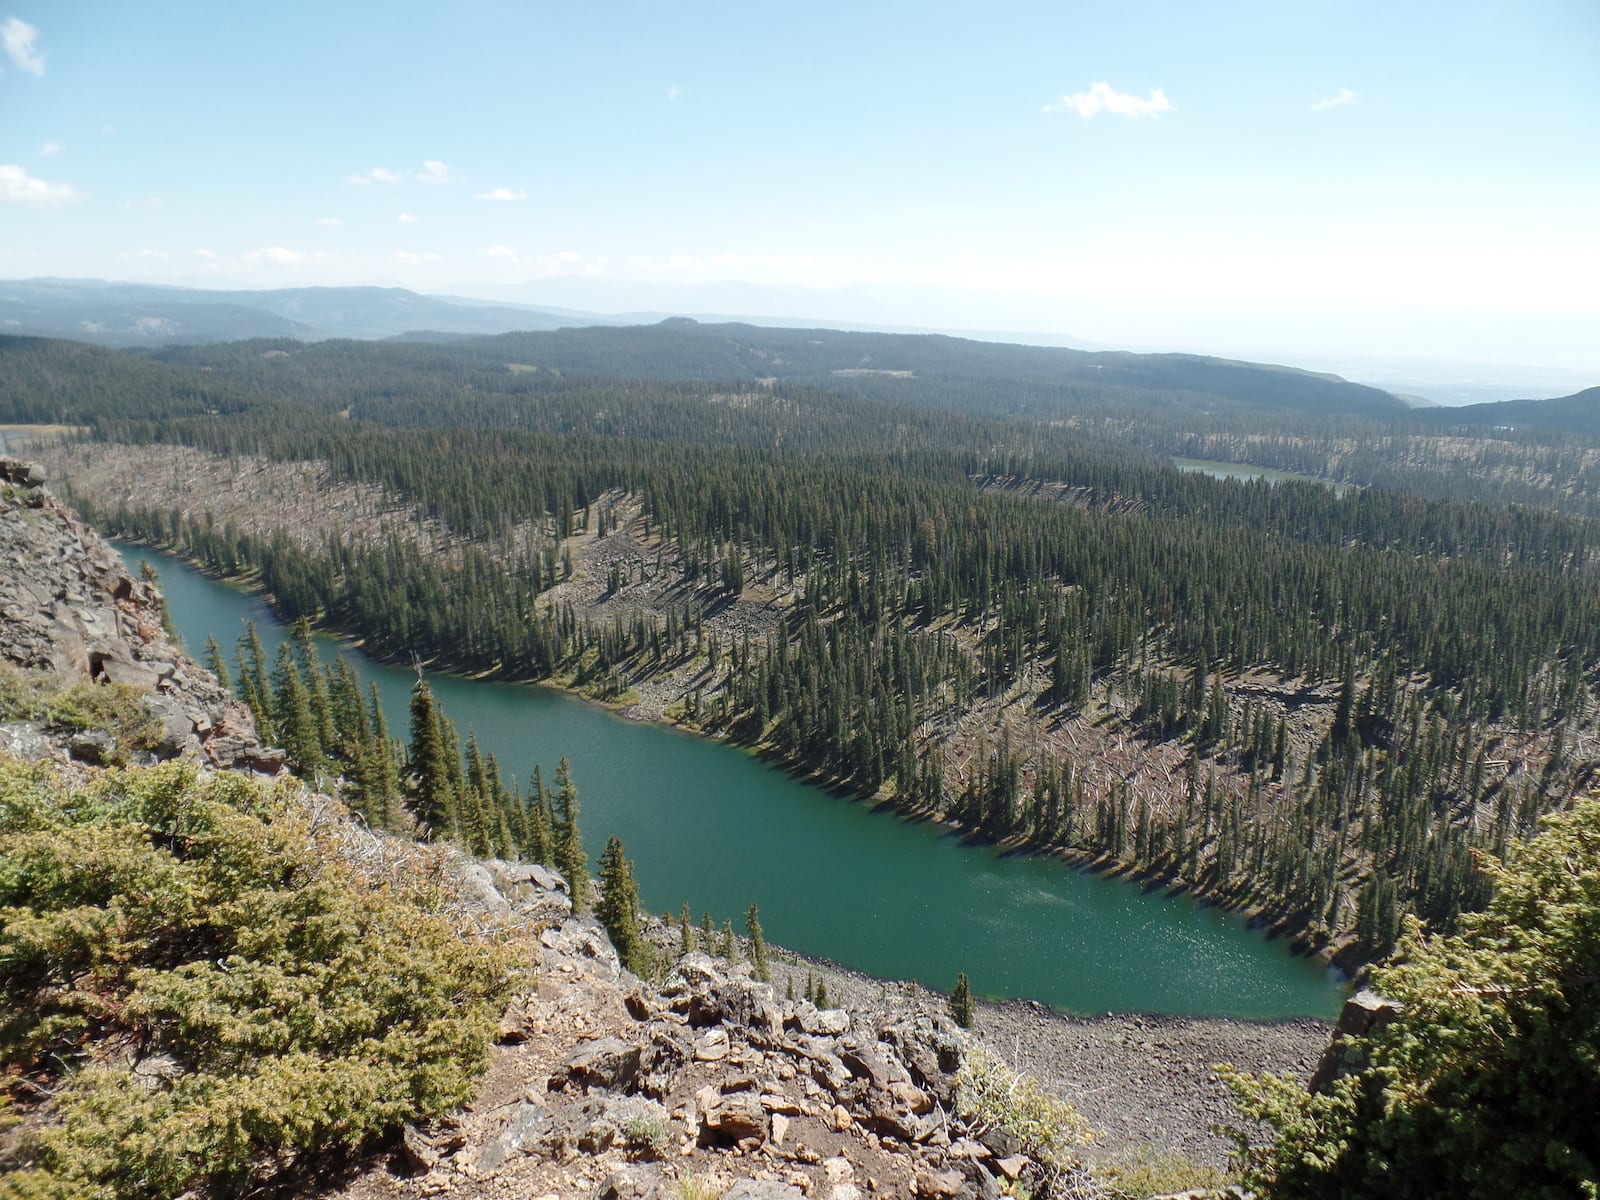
(1338, 698)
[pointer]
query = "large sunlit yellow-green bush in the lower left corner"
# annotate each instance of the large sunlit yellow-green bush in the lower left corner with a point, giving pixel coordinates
(212, 990)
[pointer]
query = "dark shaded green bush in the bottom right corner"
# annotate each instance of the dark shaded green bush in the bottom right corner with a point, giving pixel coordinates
(1487, 1082)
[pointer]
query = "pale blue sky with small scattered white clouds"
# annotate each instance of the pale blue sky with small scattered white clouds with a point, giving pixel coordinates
(1306, 180)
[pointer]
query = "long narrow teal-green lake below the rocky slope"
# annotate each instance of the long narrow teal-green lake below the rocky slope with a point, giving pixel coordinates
(714, 826)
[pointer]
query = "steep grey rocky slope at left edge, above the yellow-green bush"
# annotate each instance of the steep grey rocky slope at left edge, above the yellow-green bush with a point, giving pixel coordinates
(70, 606)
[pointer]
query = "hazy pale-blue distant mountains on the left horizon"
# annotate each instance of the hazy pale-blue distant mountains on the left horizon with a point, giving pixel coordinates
(146, 316)
